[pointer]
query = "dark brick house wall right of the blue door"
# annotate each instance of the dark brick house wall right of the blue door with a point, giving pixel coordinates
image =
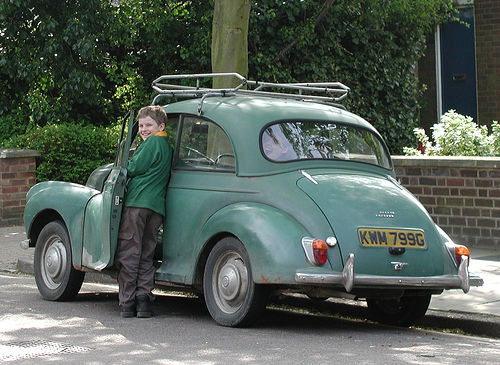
(487, 19)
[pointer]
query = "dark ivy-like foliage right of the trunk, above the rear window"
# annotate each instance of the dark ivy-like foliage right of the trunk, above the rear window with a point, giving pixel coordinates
(370, 45)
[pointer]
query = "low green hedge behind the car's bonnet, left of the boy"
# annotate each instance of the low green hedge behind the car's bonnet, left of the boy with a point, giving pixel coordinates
(69, 152)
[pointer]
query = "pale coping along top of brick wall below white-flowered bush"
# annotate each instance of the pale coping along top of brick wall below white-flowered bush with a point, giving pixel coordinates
(447, 161)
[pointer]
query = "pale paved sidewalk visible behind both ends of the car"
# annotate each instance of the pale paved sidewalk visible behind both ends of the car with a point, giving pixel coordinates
(484, 300)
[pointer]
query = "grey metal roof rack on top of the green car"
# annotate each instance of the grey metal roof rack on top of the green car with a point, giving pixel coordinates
(332, 92)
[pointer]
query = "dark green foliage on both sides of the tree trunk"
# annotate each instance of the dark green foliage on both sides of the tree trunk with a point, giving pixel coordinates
(91, 61)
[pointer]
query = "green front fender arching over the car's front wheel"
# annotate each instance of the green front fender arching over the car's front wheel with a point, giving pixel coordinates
(52, 200)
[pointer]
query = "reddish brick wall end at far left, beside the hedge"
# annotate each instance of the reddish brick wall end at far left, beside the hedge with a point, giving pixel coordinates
(17, 175)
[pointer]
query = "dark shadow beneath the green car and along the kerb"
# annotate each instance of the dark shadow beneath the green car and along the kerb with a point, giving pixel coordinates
(290, 313)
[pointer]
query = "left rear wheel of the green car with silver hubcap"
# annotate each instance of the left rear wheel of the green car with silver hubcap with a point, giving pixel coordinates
(231, 296)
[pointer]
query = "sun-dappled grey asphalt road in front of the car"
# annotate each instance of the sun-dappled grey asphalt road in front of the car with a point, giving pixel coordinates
(90, 331)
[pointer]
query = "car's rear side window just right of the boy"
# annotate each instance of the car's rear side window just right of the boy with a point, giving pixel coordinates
(204, 145)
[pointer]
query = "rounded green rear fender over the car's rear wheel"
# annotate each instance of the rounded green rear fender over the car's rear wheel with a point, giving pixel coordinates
(271, 237)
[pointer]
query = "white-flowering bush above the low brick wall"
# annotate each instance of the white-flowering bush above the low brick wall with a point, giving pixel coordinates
(457, 135)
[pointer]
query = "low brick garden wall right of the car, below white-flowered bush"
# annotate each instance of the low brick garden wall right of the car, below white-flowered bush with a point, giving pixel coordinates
(462, 194)
